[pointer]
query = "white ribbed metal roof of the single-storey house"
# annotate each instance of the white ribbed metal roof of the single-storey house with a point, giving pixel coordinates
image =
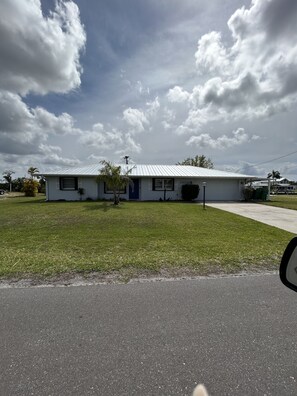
(153, 171)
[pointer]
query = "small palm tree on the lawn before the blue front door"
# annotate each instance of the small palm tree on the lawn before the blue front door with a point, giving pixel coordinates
(114, 178)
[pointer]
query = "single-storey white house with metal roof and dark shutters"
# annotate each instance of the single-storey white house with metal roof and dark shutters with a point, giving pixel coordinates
(150, 183)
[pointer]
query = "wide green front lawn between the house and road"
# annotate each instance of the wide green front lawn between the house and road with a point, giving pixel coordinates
(53, 238)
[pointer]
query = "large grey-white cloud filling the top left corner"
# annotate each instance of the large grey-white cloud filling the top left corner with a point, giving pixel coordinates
(39, 54)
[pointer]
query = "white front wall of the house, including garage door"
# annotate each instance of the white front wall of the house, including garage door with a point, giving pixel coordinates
(216, 190)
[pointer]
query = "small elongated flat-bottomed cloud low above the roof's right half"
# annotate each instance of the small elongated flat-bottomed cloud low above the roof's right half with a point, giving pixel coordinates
(238, 137)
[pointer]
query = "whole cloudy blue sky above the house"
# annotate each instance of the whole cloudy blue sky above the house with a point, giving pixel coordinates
(157, 80)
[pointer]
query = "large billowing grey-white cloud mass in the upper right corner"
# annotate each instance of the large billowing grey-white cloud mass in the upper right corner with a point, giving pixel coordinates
(254, 77)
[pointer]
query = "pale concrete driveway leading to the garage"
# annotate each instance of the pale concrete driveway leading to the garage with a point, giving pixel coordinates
(286, 219)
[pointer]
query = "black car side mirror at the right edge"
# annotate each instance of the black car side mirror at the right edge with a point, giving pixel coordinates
(288, 266)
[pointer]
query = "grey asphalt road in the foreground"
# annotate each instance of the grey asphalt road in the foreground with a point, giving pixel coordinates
(237, 335)
